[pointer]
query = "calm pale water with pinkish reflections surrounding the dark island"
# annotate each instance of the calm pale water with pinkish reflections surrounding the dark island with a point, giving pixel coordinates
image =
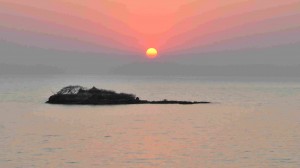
(251, 123)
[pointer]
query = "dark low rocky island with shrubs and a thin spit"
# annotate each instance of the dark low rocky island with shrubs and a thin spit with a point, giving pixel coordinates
(94, 96)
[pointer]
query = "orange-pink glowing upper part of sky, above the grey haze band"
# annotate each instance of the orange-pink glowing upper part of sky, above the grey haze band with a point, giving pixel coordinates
(133, 26)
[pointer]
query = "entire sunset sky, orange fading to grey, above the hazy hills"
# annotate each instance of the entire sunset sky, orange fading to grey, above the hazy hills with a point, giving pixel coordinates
(181, 30)
